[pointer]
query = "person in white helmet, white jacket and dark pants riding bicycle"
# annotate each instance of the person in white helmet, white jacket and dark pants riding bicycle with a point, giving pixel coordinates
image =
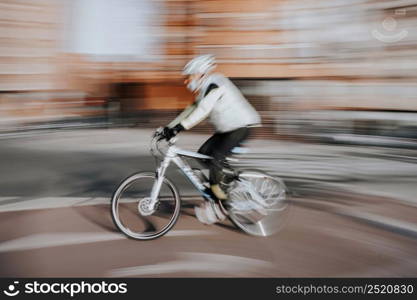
(230, 113)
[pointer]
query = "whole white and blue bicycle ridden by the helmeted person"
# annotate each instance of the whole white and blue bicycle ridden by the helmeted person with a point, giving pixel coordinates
(256, 202)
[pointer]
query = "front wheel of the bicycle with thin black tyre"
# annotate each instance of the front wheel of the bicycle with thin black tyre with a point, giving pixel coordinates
(127, 207)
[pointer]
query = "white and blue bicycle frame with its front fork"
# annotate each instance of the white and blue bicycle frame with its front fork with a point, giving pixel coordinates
(174, 154)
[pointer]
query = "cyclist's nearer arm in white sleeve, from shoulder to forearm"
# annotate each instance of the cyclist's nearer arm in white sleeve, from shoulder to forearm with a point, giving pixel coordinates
(203, 108)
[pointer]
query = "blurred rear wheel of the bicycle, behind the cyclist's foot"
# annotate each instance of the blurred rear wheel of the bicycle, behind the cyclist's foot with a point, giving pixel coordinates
(258, 203)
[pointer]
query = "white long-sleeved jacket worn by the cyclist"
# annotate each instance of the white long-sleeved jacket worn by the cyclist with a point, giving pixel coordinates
(227, 108)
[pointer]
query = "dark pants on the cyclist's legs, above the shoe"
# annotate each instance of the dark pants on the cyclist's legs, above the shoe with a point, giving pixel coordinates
(219, 146)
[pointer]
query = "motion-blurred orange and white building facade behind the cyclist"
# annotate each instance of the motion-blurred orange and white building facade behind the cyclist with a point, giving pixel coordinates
(311, 67)
